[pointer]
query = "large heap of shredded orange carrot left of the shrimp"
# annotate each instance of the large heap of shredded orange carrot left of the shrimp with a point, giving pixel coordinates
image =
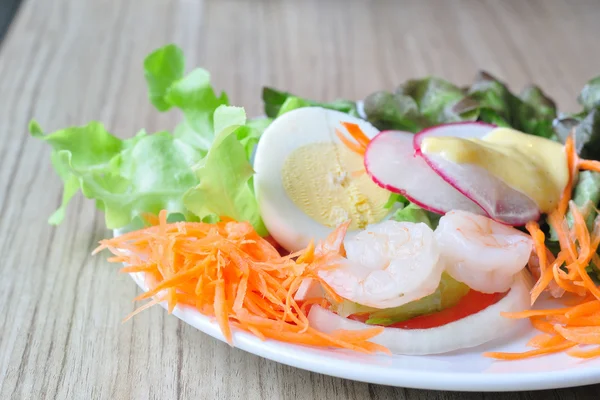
(228, 272)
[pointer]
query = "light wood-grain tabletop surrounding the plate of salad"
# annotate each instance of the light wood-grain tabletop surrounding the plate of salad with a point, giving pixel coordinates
(66, 62)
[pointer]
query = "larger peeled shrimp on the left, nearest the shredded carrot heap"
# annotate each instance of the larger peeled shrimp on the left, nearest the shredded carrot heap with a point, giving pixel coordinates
(387, 265)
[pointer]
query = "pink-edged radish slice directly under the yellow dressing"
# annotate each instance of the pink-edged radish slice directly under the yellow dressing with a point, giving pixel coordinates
(499, 201)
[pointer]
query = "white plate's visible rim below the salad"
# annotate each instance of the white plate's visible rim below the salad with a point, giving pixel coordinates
(465, 370)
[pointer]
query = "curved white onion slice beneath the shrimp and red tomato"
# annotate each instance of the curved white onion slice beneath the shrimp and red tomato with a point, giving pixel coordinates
(467, 332)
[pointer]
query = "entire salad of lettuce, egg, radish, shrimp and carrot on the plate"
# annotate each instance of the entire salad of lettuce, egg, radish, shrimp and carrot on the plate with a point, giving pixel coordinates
(417, 221)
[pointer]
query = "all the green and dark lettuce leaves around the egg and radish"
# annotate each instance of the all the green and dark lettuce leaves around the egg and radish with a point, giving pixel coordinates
(202, 169)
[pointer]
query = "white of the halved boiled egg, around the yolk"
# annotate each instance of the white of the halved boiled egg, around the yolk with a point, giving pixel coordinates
(290, 226)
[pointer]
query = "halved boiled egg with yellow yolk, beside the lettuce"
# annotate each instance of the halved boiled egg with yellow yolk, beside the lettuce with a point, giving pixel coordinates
(307, 181)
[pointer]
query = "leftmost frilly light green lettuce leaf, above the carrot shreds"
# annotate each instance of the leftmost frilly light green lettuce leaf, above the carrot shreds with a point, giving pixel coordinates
(126, 178)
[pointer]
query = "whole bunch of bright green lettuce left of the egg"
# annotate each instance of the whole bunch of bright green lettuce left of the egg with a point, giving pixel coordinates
(199, 171)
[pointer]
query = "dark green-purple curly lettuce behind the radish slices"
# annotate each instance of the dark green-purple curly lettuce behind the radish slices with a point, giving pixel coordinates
(420, 103)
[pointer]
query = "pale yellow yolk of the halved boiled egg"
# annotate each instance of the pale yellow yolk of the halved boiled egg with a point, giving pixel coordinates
(328, 183)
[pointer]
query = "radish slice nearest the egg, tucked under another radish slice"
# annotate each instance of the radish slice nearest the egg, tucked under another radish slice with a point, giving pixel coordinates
(391, 162)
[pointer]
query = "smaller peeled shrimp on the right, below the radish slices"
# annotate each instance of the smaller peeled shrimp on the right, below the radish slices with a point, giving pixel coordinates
(480, 252)
